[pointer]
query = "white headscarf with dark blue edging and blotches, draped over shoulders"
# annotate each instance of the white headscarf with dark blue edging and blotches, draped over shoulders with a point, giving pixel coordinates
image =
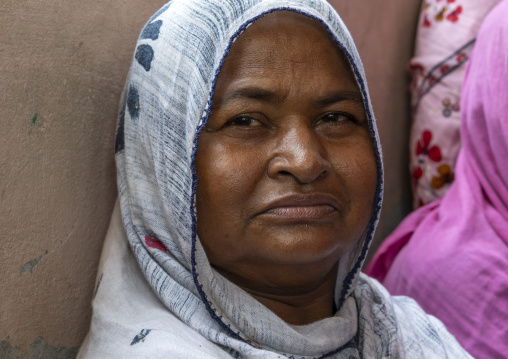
(197, 312)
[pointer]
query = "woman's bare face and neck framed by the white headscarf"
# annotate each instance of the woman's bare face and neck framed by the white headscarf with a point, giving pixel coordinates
(285, 165)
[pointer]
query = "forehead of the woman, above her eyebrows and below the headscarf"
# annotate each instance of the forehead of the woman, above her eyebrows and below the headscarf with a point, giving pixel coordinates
(285, 51)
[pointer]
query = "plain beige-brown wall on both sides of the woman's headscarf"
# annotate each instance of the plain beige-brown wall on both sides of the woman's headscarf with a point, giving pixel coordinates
(62, 67)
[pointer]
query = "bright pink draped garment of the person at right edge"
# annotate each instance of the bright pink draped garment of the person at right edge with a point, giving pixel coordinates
(452, 255)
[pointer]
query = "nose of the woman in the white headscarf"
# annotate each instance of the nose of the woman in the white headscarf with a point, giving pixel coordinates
(299, 153)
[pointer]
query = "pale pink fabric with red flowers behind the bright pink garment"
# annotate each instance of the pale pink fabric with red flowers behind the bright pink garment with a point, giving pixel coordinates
(446, 35)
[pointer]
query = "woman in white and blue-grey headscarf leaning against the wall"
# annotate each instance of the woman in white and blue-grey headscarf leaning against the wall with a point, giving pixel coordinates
(250, 184)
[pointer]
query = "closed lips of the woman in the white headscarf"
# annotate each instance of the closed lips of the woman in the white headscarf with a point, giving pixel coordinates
(301, 207)
